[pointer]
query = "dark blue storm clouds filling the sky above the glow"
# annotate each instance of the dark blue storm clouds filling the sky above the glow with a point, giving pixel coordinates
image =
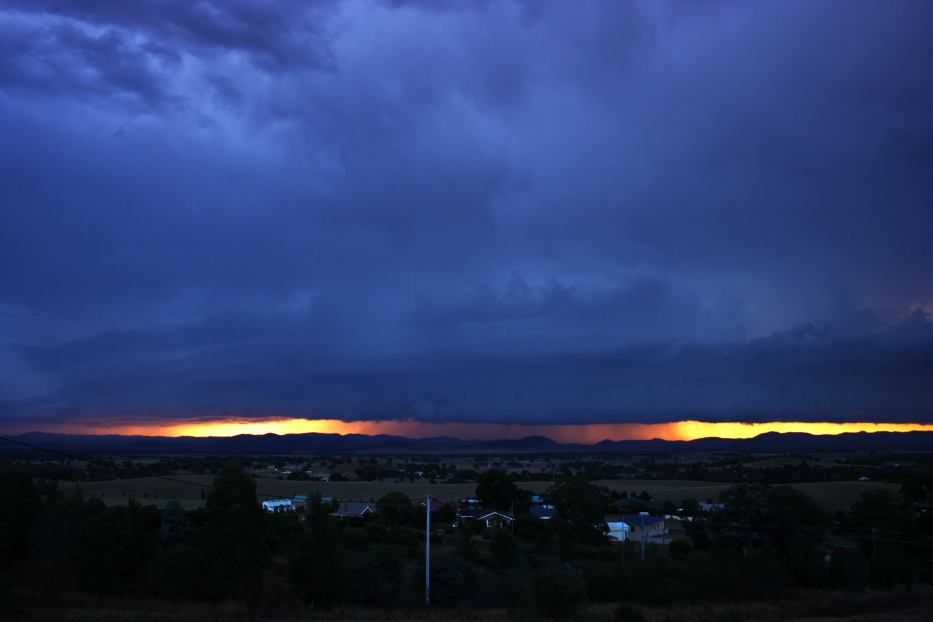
(473, 211)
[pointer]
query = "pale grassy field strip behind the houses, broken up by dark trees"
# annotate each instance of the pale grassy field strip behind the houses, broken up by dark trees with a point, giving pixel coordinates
(188, 489)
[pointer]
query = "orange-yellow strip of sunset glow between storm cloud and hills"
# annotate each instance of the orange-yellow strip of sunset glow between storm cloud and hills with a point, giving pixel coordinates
(564, 433)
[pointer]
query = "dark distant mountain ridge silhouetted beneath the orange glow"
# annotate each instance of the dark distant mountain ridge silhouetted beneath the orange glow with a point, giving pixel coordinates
(319, 443)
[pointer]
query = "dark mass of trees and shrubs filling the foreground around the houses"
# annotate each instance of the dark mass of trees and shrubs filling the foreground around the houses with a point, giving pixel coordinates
(771, 545)
